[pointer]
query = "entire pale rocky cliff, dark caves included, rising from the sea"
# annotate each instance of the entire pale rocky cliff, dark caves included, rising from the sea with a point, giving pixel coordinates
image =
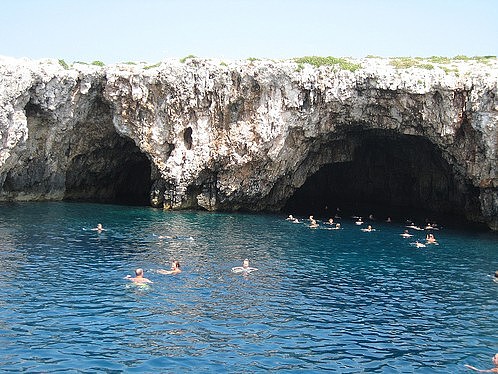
(255, 135)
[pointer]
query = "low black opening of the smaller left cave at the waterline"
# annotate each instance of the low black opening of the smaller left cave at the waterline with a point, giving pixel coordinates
(117, 173)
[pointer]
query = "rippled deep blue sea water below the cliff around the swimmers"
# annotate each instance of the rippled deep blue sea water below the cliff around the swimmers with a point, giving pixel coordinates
(341, 300)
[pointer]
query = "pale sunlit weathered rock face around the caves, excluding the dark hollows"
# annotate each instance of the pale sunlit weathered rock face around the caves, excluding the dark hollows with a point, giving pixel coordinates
(248, 134)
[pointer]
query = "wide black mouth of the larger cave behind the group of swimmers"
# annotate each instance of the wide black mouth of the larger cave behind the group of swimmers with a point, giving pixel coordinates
(387, 175)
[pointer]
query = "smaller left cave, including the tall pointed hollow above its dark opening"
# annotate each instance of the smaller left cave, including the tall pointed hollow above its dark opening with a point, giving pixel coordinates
(104, 166)
